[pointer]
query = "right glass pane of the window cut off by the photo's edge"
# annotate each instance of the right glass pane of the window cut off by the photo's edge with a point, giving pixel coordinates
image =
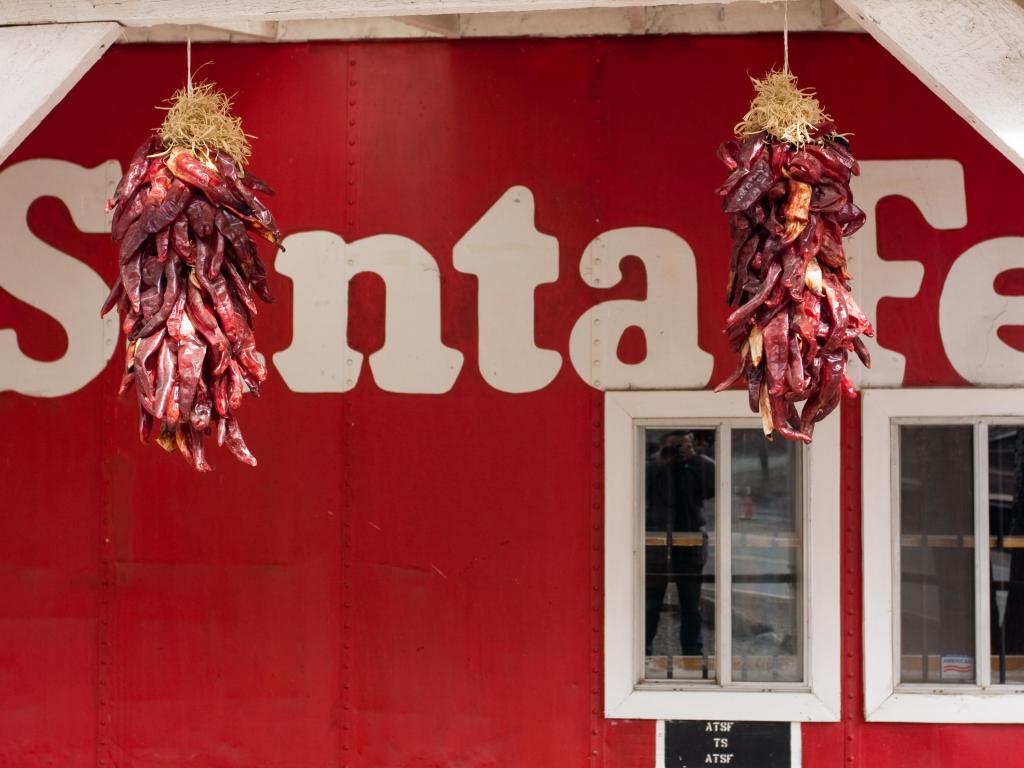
(1006, 532)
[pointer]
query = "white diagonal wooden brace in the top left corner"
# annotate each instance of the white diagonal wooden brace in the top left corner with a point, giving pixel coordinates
(39, 66)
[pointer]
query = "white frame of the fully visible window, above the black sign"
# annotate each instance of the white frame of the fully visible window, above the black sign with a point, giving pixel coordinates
(626, 695)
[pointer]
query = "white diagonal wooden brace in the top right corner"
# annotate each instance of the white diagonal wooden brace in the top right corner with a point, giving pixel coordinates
(969, 53)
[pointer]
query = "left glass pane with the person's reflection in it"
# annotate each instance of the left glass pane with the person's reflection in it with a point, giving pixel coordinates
(679, 575)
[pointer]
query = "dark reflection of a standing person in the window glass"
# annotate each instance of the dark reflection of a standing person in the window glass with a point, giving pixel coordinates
(677, 483)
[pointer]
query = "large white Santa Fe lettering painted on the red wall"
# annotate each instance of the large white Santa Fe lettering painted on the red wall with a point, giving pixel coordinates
(510, 260)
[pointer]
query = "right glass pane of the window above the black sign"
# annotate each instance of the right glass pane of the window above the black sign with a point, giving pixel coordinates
(767, 615)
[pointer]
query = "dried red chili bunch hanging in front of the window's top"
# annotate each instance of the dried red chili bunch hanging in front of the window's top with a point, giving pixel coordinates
(790, 206)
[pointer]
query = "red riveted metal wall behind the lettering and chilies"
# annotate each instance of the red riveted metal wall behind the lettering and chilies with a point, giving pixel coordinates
(413, 580)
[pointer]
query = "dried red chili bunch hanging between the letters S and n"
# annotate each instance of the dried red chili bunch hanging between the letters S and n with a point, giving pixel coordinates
(185, 215)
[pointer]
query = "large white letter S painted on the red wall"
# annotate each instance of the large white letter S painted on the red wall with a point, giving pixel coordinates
(52, 281)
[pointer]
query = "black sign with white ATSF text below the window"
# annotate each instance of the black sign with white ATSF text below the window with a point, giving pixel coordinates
(696, 744)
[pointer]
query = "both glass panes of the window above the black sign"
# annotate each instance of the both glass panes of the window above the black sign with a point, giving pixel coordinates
(681, 594)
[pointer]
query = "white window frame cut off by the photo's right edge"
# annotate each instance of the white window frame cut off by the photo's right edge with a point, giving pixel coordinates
(885, 699)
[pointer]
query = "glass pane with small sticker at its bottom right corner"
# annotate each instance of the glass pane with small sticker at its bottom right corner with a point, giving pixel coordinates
(936, 511)
